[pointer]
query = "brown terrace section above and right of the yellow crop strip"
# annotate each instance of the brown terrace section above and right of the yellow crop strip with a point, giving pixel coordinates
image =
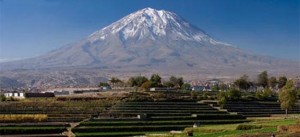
(57, 111)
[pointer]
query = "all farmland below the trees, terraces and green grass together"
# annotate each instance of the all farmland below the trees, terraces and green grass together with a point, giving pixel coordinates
(139, 113)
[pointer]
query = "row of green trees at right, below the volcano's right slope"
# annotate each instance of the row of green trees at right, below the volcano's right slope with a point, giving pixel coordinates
(286, 91)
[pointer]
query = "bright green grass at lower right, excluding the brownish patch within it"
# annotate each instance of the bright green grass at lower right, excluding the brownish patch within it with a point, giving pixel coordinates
(269, 126)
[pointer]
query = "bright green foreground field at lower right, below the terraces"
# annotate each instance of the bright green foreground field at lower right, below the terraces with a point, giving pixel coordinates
(262, 127)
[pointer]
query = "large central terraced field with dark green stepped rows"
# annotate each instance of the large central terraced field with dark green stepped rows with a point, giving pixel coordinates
(138, 118)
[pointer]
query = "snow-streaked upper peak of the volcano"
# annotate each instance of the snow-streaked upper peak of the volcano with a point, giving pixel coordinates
(153, 24)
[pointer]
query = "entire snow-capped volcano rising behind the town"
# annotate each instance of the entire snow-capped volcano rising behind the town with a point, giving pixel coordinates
(148, 41)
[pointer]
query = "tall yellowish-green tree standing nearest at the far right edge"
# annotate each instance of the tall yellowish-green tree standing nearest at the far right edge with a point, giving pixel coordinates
(288, 96)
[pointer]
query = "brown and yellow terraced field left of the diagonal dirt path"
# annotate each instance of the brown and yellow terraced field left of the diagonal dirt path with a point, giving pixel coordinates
(44, 118)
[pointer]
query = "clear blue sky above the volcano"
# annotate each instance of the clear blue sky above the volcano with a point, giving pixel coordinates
(30, 28)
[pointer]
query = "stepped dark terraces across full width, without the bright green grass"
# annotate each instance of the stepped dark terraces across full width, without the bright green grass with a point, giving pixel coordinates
(118, 117)
